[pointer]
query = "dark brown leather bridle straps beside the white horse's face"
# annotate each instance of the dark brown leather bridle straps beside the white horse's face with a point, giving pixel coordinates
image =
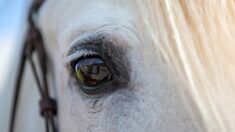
(34, 44)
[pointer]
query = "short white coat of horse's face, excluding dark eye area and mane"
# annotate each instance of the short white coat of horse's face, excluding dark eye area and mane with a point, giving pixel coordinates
(148, 102)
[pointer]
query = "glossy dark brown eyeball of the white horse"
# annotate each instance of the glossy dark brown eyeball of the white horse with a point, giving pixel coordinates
(92, 71)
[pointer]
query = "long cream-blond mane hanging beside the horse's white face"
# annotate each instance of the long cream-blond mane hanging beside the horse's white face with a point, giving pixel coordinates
(196, 39)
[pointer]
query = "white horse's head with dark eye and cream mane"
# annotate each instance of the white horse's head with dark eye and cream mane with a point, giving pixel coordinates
(141, 65)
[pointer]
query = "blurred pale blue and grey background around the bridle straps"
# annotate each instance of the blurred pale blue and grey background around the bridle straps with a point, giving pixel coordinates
(13, 26)
